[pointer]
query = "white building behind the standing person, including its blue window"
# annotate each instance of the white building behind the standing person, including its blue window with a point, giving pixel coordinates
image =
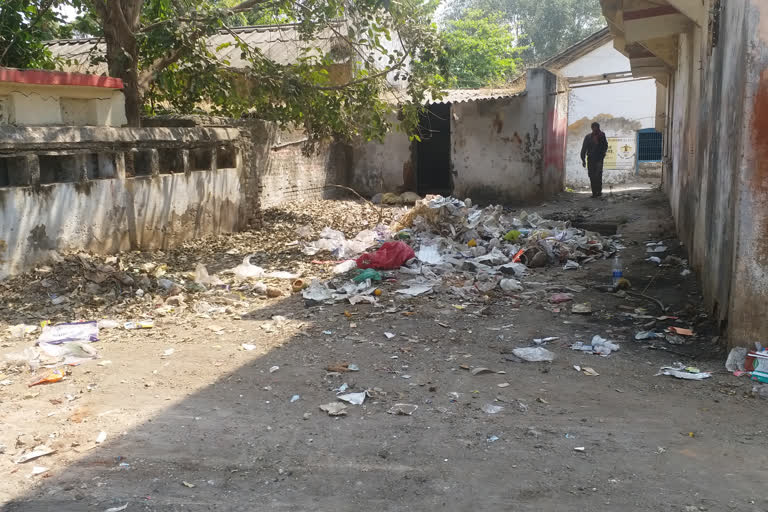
(602, 89)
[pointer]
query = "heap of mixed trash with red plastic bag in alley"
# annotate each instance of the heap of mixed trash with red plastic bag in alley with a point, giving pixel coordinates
(444, 239)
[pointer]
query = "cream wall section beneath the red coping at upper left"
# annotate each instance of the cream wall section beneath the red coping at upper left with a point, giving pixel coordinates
(33, 104)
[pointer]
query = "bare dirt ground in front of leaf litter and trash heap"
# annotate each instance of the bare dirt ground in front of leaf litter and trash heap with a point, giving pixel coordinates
(211, 427)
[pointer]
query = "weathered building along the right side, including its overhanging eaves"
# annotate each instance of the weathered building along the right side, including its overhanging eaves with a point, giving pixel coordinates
(710, 59)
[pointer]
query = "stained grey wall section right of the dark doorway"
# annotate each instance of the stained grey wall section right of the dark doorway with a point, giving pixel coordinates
(511, 149)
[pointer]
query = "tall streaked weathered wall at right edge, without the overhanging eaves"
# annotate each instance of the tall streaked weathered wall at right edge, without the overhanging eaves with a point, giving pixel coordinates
(716, 165)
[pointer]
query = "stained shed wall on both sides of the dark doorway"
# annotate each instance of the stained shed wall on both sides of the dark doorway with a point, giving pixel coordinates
(502, 149)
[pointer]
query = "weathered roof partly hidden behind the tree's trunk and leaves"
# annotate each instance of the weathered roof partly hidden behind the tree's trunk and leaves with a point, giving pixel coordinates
(280, 43)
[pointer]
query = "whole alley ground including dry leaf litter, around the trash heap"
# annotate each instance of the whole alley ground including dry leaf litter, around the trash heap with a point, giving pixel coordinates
(216, 404)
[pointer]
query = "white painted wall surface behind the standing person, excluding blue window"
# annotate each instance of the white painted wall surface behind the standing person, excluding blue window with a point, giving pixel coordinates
(631, 104)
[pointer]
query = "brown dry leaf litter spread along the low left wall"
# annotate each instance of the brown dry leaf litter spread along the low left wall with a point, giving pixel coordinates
(215, 274)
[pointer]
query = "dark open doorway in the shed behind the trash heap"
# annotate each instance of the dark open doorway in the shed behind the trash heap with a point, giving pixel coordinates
(433, 153)
